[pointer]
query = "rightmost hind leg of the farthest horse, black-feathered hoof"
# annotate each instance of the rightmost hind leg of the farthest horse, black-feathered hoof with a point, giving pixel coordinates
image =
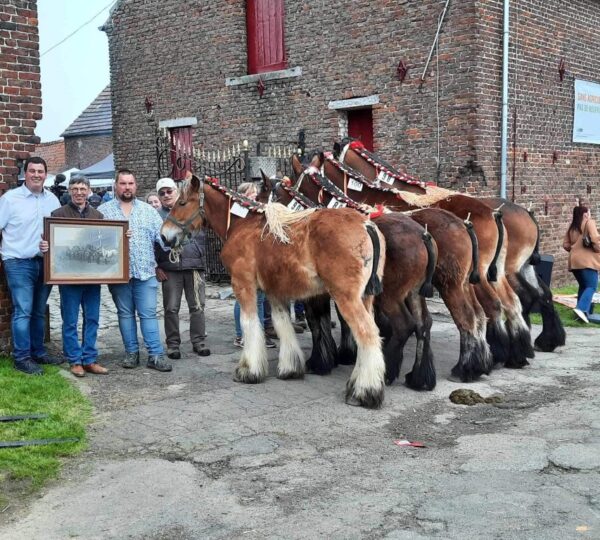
(553, 333)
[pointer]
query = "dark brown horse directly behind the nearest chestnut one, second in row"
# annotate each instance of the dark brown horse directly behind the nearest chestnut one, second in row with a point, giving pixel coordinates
(401, 309)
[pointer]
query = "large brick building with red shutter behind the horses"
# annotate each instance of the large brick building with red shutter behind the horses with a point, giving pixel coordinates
(236, 70)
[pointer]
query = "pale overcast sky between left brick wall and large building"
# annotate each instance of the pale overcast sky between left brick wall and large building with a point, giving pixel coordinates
(76, 71)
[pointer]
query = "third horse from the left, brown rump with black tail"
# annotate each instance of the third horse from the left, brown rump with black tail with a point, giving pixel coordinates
(451, 275)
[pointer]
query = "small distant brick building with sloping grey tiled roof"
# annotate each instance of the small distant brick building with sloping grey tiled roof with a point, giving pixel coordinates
(89, 137)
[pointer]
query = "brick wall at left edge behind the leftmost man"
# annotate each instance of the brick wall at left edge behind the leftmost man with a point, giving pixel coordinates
(20, 108)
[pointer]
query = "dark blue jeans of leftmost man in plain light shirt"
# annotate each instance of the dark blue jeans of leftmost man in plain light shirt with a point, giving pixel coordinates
(29, 294)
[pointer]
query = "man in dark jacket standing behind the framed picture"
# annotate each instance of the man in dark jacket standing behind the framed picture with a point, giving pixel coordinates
(82, 357)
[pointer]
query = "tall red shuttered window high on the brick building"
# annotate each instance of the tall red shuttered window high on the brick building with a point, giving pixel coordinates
(266, 48)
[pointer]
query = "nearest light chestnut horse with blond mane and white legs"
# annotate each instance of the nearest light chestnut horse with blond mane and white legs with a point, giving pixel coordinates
(291, 256)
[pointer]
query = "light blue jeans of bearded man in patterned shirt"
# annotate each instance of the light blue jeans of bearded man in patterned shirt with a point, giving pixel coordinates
(137, 296)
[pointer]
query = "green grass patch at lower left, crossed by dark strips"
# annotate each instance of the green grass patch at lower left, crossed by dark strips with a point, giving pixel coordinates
(69, 413)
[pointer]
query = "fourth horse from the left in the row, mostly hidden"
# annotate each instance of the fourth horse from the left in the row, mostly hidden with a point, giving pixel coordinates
(509, 341)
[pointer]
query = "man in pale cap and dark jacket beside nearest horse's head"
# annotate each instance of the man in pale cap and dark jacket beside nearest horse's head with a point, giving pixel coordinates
(178, 276)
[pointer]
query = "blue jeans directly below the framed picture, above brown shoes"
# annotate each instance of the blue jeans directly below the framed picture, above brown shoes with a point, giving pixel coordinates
(72, 297)
